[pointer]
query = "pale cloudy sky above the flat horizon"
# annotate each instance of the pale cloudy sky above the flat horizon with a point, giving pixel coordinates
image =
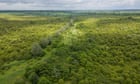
(68, 4)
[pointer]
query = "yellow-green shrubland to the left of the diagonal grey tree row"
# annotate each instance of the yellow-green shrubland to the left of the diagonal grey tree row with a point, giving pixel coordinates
(18, 33)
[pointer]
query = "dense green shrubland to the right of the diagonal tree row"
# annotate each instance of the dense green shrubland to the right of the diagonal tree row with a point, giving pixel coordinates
(99, 56)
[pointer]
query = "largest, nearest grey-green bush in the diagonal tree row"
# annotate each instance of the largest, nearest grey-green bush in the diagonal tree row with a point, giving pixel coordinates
(37, 50)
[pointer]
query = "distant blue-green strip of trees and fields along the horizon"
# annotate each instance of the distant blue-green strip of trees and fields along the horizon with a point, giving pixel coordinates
(71, 12)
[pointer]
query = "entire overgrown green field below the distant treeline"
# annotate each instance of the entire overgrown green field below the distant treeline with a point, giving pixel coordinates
(81, 49)
